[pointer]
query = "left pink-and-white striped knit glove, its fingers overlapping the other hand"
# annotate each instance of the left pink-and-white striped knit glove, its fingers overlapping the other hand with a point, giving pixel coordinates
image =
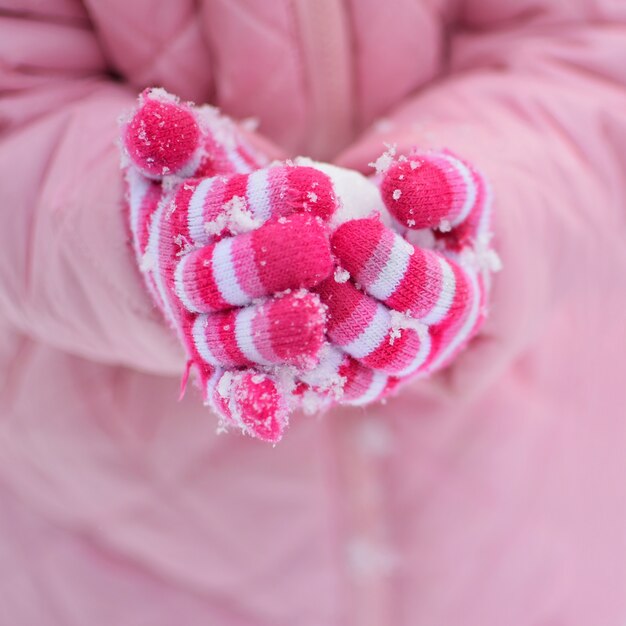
(215, 241)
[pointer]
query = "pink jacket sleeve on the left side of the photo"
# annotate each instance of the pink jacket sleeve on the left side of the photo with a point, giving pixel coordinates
(67, 275)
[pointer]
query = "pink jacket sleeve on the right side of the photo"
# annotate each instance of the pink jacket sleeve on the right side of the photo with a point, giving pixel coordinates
(535, 96)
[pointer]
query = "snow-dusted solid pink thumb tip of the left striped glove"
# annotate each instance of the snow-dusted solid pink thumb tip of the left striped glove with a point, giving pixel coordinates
(162, 136)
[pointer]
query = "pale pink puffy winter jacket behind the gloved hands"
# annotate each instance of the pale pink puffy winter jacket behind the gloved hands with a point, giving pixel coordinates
(493, 494)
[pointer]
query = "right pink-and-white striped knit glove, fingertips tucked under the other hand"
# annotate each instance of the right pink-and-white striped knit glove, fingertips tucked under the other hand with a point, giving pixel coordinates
(422, 285)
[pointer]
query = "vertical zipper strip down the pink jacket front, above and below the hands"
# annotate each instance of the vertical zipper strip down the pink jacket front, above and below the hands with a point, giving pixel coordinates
(323, 28)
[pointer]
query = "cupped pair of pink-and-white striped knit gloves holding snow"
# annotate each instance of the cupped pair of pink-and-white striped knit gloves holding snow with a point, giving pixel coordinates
(300, 284)
